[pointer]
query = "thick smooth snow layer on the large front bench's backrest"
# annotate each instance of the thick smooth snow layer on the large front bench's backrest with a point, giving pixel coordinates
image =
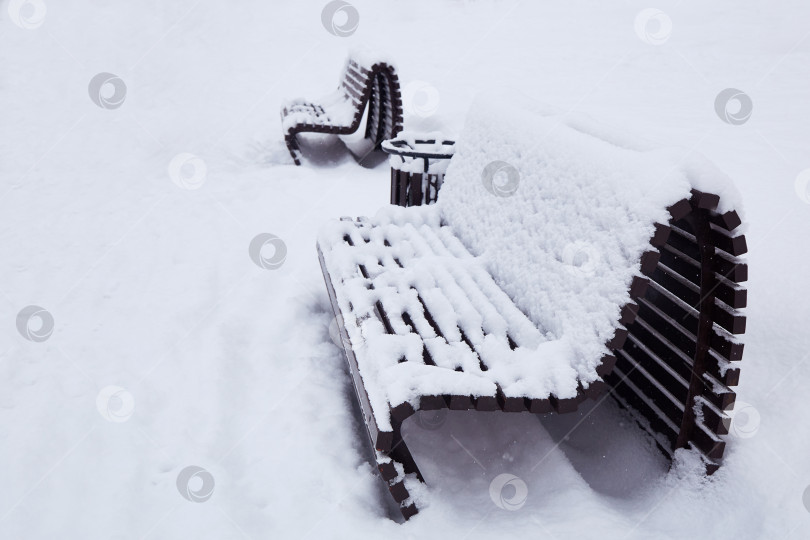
(560, 210)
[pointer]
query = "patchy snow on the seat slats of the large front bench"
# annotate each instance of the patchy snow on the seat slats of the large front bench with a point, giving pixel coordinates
(411, 261)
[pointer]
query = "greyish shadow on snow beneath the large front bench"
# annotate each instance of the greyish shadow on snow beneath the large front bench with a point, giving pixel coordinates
(460, 452)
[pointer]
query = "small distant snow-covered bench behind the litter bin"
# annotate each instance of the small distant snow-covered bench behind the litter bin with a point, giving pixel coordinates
(365, 81)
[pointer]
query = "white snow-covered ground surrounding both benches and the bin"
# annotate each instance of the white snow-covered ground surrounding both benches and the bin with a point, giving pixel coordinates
(171, 348)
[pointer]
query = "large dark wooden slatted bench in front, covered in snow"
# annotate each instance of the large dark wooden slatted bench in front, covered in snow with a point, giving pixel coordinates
(597, 263)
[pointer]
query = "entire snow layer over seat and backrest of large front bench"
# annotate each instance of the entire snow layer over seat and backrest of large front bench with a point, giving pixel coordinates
(545, 259)
